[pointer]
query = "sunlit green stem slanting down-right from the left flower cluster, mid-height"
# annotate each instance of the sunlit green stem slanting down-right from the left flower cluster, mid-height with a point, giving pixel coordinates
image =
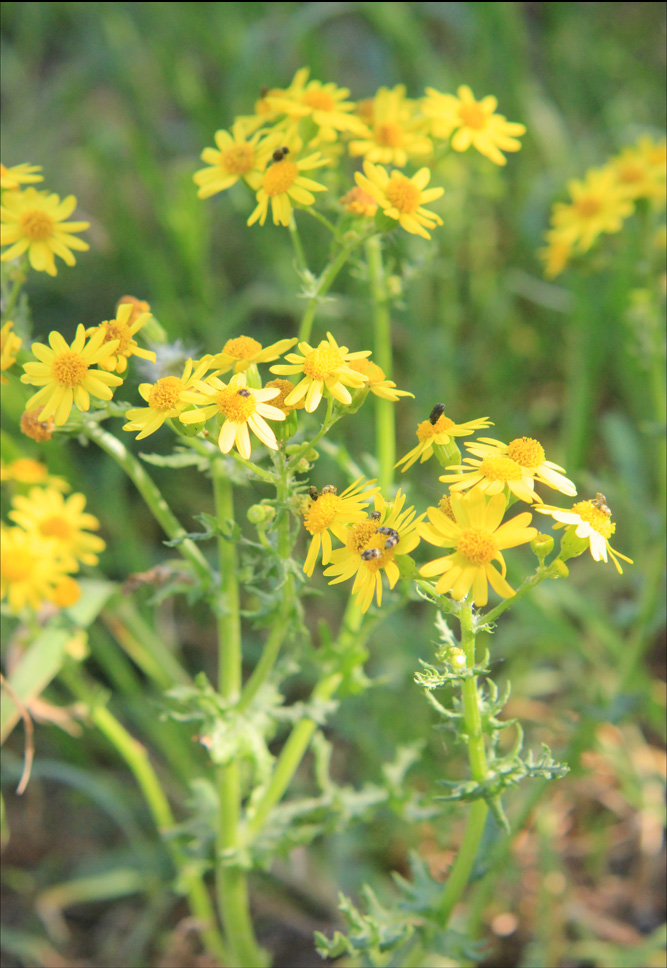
(152, 496)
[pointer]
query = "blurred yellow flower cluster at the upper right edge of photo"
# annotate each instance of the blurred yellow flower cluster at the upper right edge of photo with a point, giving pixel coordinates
(600, 203)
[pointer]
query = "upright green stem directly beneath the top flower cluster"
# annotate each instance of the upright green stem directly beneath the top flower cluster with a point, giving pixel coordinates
(384, 409)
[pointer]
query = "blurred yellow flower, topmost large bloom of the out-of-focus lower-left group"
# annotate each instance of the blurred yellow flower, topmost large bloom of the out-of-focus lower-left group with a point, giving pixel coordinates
(62, 523)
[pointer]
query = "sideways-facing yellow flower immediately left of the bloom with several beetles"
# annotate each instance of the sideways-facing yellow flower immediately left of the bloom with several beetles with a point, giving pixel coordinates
(330, 511)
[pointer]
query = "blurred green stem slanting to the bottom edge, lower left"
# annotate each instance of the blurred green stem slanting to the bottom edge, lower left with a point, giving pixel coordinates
(137, 761)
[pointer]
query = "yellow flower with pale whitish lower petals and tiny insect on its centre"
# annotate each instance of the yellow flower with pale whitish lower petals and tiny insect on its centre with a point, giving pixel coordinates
(241, 406)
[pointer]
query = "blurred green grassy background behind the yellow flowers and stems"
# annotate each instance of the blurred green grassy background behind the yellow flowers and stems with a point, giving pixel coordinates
(116, 102)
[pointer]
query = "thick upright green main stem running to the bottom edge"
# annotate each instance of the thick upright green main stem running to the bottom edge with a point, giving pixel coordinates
(232, 886)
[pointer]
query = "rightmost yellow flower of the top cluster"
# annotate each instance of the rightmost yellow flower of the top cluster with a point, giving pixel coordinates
(475, 123)
